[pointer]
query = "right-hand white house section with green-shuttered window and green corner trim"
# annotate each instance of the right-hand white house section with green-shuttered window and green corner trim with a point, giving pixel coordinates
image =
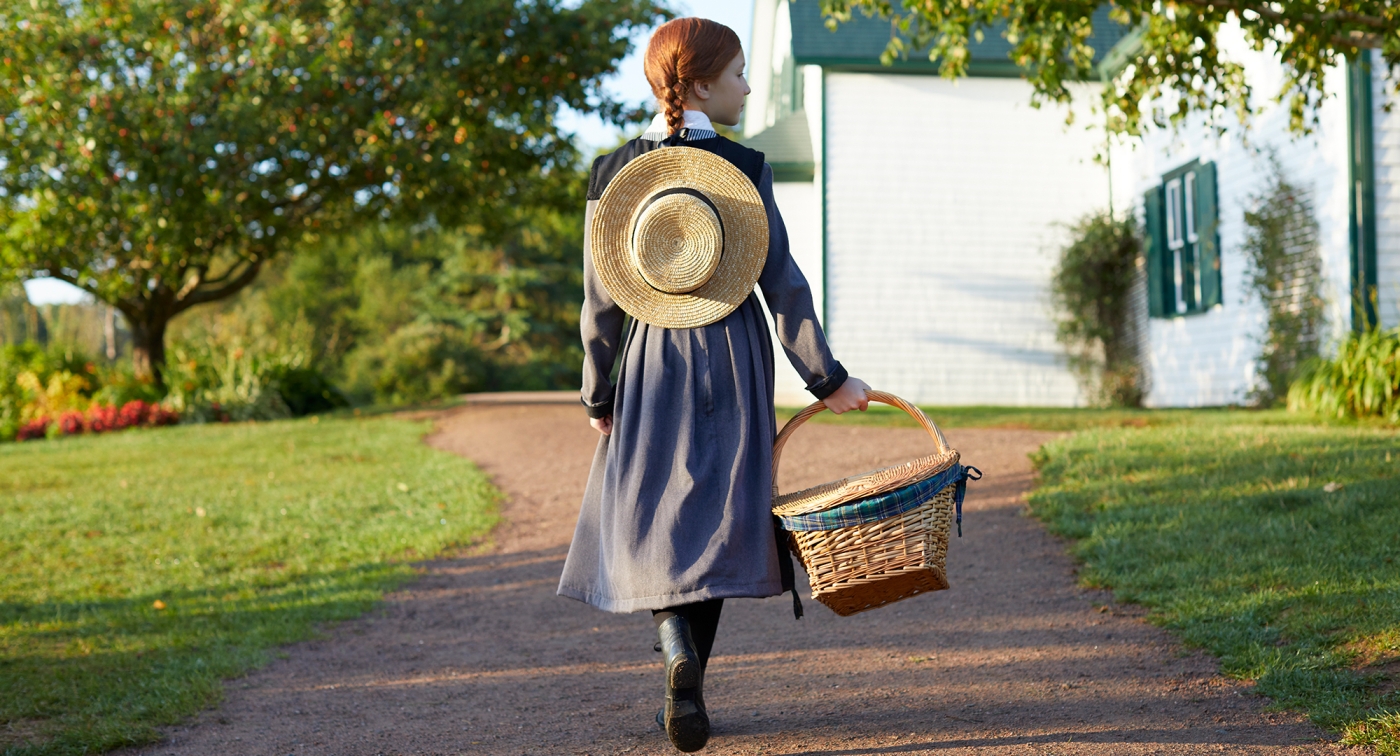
(1205, 327)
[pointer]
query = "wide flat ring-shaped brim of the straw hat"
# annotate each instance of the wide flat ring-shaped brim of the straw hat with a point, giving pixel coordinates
(745, 236)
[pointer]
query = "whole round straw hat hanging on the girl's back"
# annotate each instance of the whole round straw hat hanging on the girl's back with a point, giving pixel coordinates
(680, 237)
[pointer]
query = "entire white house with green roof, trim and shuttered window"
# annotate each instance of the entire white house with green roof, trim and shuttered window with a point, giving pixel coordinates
(927, 215)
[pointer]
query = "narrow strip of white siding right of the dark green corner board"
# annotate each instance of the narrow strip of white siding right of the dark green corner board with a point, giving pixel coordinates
(1387, 139)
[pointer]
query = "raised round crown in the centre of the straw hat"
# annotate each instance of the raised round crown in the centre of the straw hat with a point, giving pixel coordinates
(677, 243)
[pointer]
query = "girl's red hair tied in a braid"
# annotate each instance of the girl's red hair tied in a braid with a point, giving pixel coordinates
(682, 54)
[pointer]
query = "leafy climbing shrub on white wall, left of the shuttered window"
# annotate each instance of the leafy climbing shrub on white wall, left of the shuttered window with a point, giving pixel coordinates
(1091, 292)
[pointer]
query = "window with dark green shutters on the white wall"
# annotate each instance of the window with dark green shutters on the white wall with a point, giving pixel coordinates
(1184, 271)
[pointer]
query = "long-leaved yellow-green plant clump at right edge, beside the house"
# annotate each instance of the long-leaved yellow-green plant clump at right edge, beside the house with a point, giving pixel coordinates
(1361, 381)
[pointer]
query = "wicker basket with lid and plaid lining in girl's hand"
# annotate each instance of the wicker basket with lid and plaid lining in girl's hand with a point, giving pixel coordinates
(880, 537)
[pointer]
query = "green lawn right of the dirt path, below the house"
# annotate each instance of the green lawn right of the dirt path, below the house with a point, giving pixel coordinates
(1226, 528)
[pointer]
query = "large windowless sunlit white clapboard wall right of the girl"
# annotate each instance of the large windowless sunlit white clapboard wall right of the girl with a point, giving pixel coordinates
(941, 209)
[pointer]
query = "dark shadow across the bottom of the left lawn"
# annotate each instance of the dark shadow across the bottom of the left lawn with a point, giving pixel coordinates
(92, 675)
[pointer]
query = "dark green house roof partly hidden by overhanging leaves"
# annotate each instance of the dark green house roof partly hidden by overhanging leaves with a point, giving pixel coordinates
(857, 44)
